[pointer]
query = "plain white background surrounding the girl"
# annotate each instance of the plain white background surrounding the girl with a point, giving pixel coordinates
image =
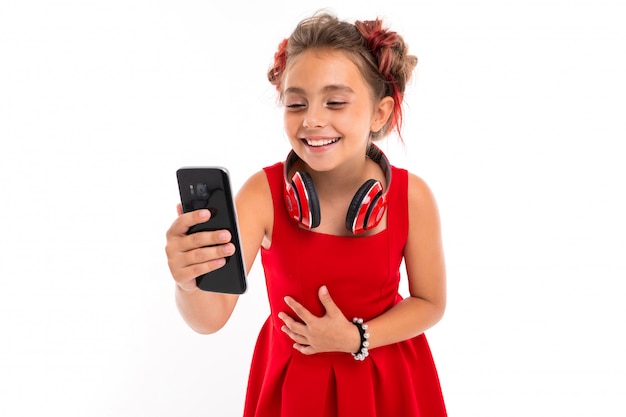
(514, 117)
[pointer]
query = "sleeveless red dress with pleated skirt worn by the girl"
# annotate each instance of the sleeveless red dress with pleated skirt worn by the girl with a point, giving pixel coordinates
(362, 275)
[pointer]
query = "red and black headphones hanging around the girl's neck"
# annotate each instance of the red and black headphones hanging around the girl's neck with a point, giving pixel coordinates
(365, 211)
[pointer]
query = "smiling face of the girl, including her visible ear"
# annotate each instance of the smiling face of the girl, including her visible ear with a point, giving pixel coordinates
(329, 110)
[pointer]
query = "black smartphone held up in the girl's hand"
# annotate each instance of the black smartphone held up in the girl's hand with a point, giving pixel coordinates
(209, 188)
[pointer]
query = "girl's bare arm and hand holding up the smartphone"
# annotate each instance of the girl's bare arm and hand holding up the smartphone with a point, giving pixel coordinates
(188, 255)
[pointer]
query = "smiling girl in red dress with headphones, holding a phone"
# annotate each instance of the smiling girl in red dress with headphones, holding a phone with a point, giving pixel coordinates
(333, 223)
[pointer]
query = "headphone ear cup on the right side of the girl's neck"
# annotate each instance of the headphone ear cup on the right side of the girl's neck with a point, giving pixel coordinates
(361, 206)
